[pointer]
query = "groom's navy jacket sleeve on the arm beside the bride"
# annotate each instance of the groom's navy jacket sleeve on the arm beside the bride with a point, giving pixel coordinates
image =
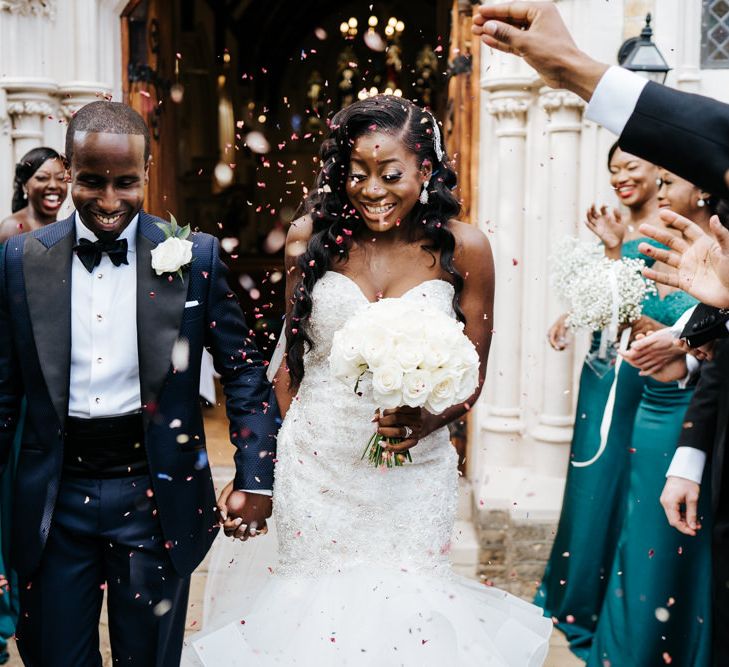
(249, 400)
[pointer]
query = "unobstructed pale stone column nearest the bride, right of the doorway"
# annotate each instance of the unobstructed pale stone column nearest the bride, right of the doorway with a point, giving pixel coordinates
(500, 419)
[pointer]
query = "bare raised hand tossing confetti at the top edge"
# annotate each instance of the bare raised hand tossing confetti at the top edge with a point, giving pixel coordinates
(535, 31)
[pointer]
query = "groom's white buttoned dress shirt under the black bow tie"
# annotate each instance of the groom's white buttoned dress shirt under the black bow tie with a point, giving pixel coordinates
(104, 358)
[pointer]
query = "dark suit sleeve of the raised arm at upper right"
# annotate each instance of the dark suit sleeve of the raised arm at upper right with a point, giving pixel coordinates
(687, 134)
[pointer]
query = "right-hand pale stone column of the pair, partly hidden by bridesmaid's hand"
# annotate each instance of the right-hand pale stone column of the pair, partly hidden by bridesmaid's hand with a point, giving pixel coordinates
(564, 125)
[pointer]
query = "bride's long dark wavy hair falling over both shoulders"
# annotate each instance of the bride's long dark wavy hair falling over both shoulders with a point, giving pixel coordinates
(336, 223)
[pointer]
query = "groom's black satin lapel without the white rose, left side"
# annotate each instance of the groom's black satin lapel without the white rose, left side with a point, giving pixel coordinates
(47, 258)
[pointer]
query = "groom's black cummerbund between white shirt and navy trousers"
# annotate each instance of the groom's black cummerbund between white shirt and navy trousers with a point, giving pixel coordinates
(105, 447)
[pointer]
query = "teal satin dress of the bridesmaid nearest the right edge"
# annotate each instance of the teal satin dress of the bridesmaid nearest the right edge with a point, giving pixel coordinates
(657, 607)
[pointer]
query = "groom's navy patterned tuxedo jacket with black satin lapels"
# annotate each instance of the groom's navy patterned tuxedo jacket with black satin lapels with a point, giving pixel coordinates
(35, 349)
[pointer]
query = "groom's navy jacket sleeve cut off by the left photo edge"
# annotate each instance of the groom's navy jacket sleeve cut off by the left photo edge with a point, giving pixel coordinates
(10, 389)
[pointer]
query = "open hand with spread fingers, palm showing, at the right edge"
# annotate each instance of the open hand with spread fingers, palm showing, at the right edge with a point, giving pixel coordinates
(701, 260)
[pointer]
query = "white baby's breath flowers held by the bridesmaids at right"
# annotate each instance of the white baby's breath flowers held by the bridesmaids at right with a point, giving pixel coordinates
(601, 293)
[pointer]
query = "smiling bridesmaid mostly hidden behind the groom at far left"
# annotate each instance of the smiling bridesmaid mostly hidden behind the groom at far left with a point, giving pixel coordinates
(39, 191)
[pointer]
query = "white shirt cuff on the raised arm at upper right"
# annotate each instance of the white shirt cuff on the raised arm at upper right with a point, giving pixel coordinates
(614, 99)
